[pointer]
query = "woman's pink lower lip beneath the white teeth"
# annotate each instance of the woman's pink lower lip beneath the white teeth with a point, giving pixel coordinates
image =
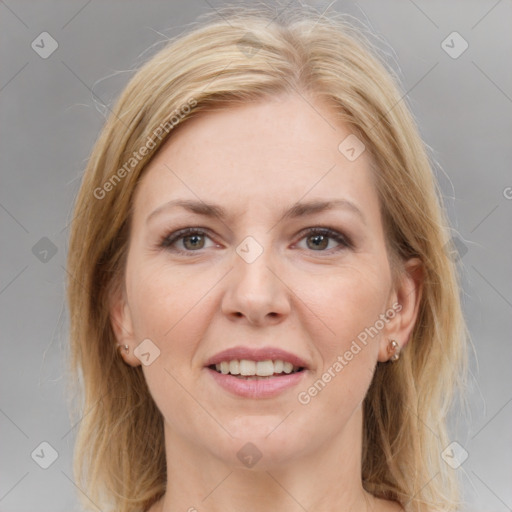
(260, 388)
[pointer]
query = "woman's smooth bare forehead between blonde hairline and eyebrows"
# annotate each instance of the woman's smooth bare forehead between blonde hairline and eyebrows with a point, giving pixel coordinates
(259, 157)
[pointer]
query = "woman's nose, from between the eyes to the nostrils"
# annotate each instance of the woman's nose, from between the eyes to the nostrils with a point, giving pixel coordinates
(256, 292)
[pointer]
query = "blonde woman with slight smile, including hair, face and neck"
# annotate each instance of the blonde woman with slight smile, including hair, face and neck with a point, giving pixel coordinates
(263, 312)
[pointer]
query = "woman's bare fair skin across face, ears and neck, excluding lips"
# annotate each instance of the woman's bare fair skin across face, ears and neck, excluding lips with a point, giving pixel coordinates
(255, 161)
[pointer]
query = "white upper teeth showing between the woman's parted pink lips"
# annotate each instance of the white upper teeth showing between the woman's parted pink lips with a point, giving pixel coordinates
(246, 369)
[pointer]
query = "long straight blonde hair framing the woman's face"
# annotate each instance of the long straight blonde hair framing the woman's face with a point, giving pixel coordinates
(249, 55)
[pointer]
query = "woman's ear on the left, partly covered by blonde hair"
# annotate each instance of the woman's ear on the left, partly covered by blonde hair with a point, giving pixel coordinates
(122, 325)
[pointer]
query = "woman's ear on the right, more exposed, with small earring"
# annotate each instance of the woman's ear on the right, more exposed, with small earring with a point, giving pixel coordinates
(404, 303)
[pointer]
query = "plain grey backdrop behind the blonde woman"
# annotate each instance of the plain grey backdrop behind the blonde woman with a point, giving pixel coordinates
(52, 111)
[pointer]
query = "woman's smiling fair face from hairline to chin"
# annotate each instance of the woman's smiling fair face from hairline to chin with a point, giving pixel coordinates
(265, 268)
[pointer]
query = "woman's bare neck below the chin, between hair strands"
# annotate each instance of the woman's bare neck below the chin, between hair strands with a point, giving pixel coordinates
(325, 479)
